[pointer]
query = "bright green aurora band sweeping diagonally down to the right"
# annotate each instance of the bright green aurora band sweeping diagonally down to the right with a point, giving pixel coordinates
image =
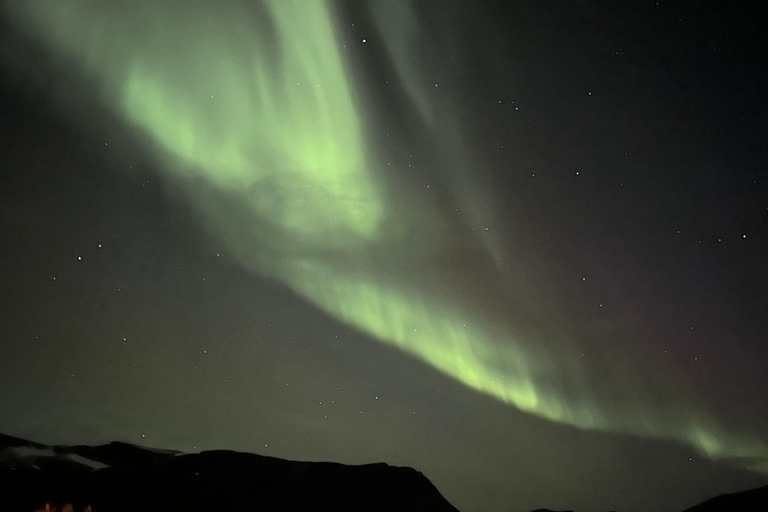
(249, 109)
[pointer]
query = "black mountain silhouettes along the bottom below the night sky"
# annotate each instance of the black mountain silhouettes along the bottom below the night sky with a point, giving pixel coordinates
(121, 477)
